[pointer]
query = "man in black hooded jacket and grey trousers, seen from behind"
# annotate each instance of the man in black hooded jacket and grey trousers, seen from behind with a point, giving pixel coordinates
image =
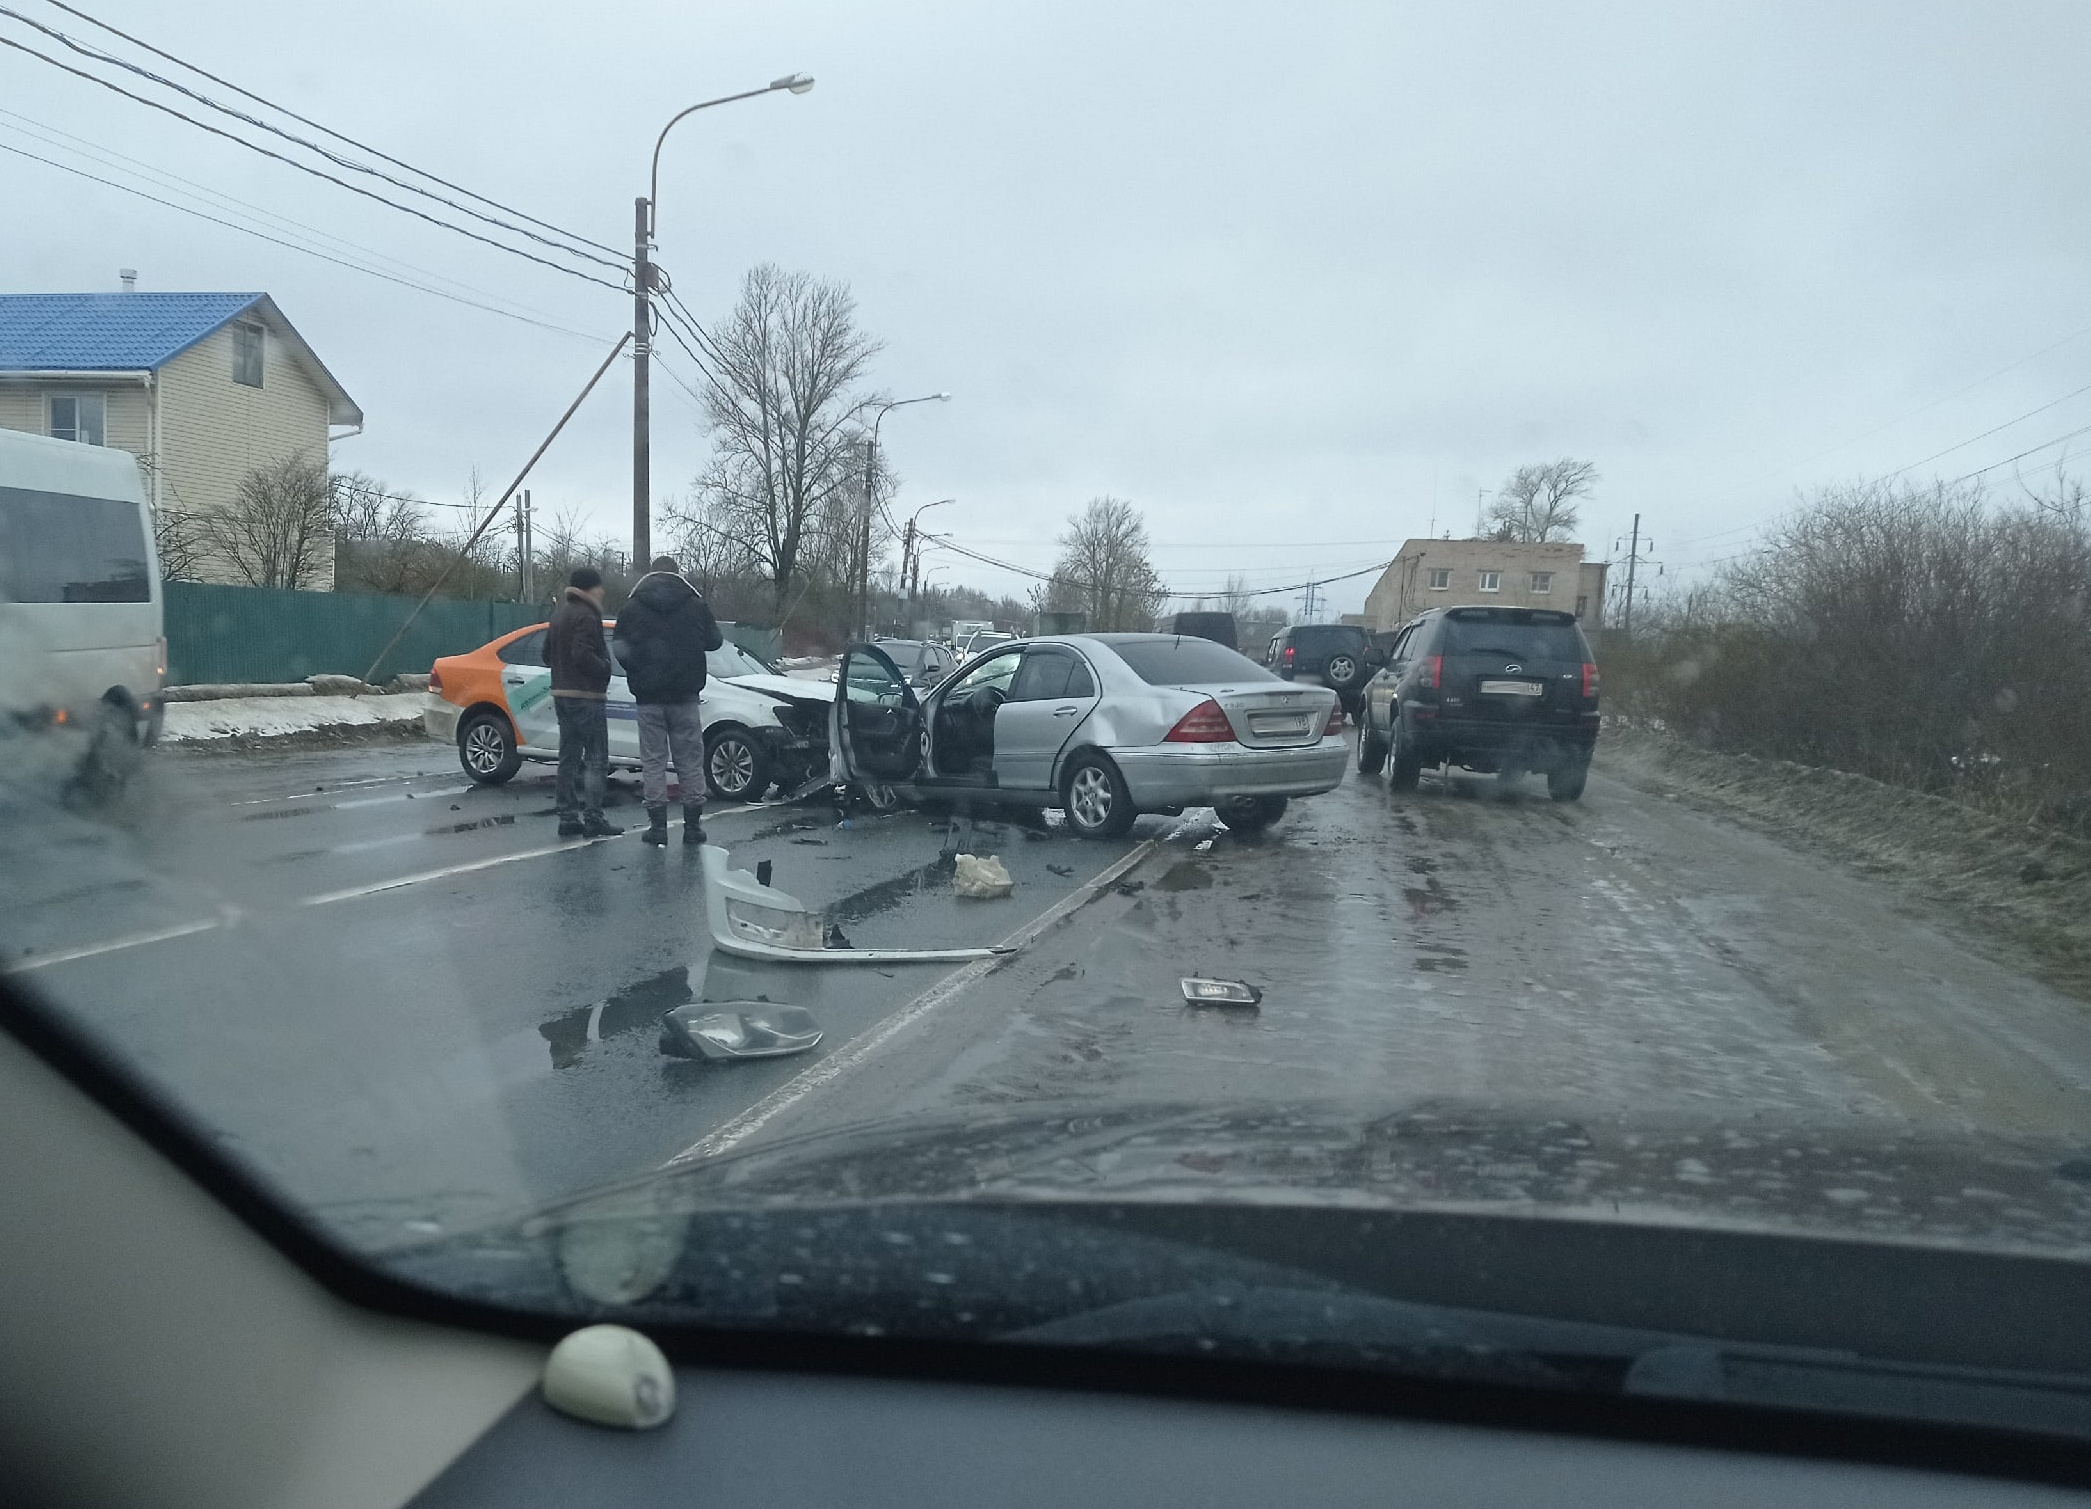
(662, 636)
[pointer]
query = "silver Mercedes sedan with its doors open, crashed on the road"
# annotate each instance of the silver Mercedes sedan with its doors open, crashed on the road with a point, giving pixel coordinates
(1105, 726)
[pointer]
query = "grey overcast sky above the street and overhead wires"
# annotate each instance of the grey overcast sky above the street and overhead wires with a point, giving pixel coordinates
(1293, 279)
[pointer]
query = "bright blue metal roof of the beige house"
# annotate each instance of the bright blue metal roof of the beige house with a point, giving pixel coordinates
(108, 331)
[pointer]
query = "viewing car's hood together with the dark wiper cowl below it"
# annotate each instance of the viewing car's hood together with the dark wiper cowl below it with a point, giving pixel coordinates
(1433, 1240)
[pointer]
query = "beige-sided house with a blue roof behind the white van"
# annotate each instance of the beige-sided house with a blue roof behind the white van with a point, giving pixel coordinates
(204, 388)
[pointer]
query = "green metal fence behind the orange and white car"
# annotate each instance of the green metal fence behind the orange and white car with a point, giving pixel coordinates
(271, 634)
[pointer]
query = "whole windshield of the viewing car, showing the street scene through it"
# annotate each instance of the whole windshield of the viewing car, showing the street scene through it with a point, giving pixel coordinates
(1745, 891)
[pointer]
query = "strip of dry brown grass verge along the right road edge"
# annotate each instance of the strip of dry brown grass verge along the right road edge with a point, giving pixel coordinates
(2015, 891)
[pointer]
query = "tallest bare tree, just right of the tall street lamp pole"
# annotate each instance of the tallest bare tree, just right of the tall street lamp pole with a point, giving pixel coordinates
(781, 398)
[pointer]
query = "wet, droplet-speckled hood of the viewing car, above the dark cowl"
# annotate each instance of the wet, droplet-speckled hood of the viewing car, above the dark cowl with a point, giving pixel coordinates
(1835, 1180)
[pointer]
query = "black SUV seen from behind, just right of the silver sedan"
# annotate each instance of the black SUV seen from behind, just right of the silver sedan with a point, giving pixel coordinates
(1502, 691)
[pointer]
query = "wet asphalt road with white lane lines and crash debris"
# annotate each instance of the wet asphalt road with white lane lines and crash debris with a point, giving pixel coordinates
(411, 1006)
